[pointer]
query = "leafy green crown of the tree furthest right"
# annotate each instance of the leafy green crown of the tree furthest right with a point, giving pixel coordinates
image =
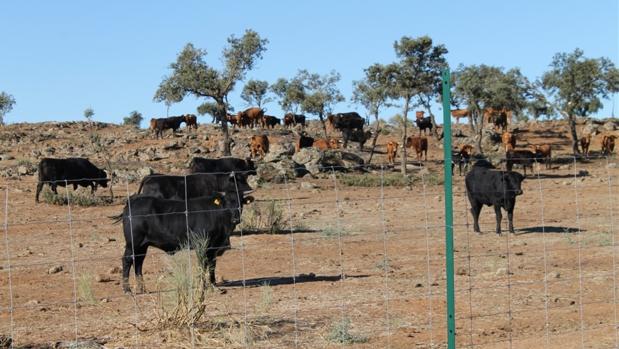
(576, 83)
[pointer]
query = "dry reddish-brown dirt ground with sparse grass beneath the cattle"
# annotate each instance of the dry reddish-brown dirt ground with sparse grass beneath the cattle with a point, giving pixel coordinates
(367, 261)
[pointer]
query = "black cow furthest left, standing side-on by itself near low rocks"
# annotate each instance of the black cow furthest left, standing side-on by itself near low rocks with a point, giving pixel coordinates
(76, 171)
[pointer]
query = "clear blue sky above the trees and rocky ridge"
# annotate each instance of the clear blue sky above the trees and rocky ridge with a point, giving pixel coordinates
(60, 57)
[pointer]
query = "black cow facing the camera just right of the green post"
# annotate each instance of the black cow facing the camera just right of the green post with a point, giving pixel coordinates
(487, 186)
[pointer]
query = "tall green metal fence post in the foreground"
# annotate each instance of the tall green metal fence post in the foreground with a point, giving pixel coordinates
(449, 254)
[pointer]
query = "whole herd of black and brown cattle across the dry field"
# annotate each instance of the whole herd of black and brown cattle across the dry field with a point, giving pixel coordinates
(171, 212)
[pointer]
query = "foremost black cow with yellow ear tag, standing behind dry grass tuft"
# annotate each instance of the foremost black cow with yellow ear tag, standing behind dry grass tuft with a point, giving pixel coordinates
(165, 224)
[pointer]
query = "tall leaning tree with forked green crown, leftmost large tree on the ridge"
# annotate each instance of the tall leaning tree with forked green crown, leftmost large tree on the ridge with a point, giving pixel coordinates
(192, 75)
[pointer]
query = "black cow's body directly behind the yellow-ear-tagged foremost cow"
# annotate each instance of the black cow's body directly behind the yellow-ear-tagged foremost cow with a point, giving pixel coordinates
(195, 185)
